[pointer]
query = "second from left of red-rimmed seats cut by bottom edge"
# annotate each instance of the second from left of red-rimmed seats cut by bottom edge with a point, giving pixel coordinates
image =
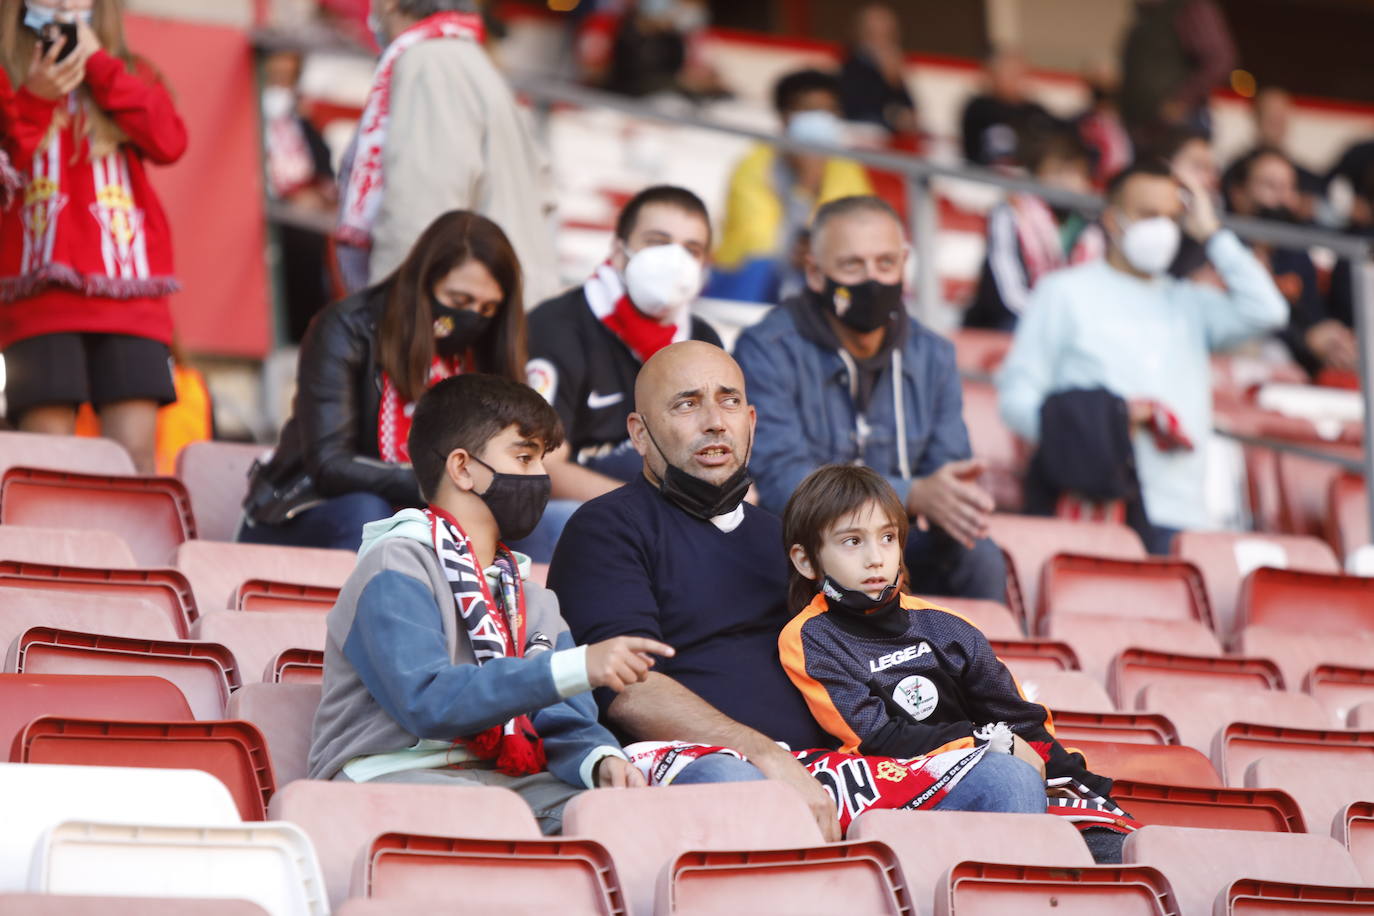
(857, 877)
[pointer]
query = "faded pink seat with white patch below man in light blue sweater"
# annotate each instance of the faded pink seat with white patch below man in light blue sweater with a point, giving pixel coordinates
(1226, 558)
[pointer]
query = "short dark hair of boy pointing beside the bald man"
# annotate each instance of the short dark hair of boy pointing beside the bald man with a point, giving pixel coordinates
(465, 413)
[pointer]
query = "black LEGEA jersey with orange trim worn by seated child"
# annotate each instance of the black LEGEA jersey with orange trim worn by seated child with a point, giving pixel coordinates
(914, 680)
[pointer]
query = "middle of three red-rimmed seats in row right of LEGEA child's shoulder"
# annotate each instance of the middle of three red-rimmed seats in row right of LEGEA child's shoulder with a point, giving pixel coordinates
(1136, 668)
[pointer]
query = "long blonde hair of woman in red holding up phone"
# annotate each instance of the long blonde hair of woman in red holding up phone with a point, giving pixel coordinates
(17, 54)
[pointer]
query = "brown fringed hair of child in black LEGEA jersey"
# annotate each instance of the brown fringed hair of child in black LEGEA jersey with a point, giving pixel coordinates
(828, 495)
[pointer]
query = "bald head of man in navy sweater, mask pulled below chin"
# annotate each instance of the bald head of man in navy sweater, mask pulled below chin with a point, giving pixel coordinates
(692, 411)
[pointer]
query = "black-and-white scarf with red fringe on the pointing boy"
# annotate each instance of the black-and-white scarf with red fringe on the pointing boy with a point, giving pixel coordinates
(495, 630)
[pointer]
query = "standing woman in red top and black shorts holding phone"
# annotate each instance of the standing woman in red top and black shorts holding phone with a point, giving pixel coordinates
(86, 253)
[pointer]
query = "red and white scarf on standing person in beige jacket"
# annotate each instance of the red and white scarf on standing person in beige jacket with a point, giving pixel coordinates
(363, 194)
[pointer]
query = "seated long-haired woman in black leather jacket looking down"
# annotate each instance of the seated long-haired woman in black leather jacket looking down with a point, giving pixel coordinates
(454, 306)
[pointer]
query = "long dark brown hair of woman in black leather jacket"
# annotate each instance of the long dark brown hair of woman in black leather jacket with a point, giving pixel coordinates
(407, 337)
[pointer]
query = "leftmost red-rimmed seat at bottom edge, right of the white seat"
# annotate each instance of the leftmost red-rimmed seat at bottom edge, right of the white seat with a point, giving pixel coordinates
(553, 875)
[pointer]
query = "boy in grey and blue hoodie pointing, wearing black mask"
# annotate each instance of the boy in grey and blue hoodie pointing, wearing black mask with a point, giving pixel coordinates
(443, 663)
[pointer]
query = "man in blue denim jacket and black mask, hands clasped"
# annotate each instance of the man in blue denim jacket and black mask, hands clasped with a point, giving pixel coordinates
(843, 374)
